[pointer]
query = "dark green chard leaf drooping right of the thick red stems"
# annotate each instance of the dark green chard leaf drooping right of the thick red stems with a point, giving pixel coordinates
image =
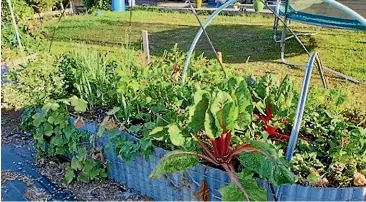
(267, 164)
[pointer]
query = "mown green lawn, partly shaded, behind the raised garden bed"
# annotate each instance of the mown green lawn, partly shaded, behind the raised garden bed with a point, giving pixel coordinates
(237, 37)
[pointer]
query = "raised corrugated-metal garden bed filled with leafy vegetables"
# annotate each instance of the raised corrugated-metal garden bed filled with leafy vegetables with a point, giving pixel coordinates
(239, 125)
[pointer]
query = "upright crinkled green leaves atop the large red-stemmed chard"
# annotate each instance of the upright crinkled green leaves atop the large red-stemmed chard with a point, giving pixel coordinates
(217, 111)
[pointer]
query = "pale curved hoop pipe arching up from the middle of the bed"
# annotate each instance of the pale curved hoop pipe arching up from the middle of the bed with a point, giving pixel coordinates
(198, 35)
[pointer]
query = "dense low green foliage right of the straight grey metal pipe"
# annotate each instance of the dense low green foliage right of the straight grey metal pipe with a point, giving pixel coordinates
(333, 148)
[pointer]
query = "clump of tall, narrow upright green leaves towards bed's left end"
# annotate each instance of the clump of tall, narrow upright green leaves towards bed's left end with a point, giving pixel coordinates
(91, 76)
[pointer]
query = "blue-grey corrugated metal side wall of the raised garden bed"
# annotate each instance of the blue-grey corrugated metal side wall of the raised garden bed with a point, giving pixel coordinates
(185, 186)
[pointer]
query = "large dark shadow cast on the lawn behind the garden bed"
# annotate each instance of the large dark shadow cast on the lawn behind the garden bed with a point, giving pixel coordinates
(236, 42)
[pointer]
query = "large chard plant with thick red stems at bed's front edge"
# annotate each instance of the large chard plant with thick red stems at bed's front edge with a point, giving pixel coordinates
(213, 119)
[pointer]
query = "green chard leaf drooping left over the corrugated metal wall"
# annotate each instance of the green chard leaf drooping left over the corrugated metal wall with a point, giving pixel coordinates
(175, 161)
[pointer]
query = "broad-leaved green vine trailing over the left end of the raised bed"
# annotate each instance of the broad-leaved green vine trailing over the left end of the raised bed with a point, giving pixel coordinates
(55, 135)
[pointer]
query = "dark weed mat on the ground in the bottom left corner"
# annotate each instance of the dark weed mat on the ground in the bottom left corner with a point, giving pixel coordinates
(22, 181)
